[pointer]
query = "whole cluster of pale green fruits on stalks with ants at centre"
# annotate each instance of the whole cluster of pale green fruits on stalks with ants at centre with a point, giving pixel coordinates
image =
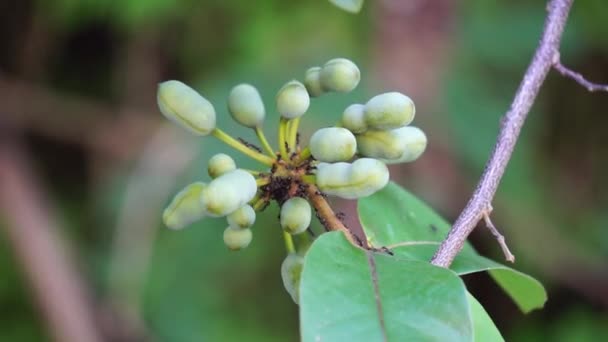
(294, 176)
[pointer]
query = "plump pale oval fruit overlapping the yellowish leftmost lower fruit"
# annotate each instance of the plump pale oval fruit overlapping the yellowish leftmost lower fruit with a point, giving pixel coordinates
(228, 192)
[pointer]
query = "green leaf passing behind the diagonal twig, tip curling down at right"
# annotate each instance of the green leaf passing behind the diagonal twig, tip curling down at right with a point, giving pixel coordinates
(396, 219)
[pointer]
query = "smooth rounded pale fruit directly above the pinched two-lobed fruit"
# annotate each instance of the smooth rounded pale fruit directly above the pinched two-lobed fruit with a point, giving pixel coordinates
(333, 144)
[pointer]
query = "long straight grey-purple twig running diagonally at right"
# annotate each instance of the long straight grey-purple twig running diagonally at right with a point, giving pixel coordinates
(512, 122)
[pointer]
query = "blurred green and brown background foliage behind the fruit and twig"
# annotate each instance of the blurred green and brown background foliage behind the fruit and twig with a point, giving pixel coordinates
(87, 162)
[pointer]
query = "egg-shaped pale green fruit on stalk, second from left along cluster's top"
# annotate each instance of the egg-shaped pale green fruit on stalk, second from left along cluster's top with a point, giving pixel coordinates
(246, 106)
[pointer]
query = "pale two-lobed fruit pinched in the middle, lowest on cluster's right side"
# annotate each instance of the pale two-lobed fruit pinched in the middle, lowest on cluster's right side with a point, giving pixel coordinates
(362, 178)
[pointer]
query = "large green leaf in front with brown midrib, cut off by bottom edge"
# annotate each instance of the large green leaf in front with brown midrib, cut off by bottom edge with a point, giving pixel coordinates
(347, 293)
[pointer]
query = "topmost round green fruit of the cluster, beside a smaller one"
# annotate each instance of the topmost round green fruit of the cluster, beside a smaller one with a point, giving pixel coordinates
(340, 74)
